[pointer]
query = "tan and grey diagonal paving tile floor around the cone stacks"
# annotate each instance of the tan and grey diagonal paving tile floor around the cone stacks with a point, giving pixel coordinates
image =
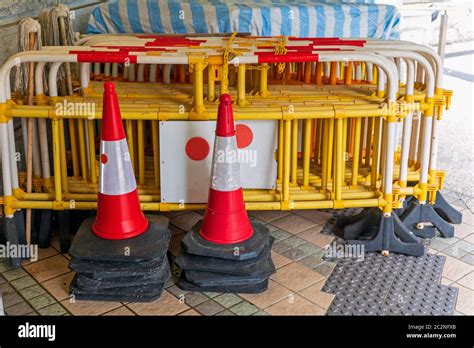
(41, 288)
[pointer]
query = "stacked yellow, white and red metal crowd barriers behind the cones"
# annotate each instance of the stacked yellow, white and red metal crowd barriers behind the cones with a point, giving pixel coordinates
(367, 139)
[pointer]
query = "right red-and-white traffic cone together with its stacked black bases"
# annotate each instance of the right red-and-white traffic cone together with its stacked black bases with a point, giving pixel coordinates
(226, 252)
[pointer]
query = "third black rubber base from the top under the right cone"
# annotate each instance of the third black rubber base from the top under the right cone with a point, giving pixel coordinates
(218, 279)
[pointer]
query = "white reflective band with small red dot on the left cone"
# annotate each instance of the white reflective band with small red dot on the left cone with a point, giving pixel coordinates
(116, 173)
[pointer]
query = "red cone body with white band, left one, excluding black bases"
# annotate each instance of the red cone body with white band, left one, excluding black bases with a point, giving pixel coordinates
(119, 214)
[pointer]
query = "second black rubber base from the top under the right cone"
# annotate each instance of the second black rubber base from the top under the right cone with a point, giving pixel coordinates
(211, 264)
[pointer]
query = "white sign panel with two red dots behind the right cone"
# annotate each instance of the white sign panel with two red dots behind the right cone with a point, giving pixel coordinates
(186, 156)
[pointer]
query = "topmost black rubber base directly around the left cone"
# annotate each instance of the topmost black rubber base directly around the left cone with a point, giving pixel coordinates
(145, 247)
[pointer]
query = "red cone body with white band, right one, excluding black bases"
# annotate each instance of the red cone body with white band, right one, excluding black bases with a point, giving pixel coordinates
(226, 220)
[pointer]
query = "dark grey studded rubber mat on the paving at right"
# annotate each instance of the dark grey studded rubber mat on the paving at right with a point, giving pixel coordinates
(386, 285)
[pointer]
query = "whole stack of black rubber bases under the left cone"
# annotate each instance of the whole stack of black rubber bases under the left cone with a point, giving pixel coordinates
(134, 269)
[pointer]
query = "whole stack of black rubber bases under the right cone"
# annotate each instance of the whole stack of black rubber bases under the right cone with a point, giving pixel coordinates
(228, 268)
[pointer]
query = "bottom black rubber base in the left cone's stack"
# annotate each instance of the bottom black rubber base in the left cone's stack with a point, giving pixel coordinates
(138, 293)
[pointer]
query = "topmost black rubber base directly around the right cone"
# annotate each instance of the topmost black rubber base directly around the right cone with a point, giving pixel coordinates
(194, 244)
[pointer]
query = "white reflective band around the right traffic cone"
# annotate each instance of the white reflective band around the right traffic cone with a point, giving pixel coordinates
(225, 165)
